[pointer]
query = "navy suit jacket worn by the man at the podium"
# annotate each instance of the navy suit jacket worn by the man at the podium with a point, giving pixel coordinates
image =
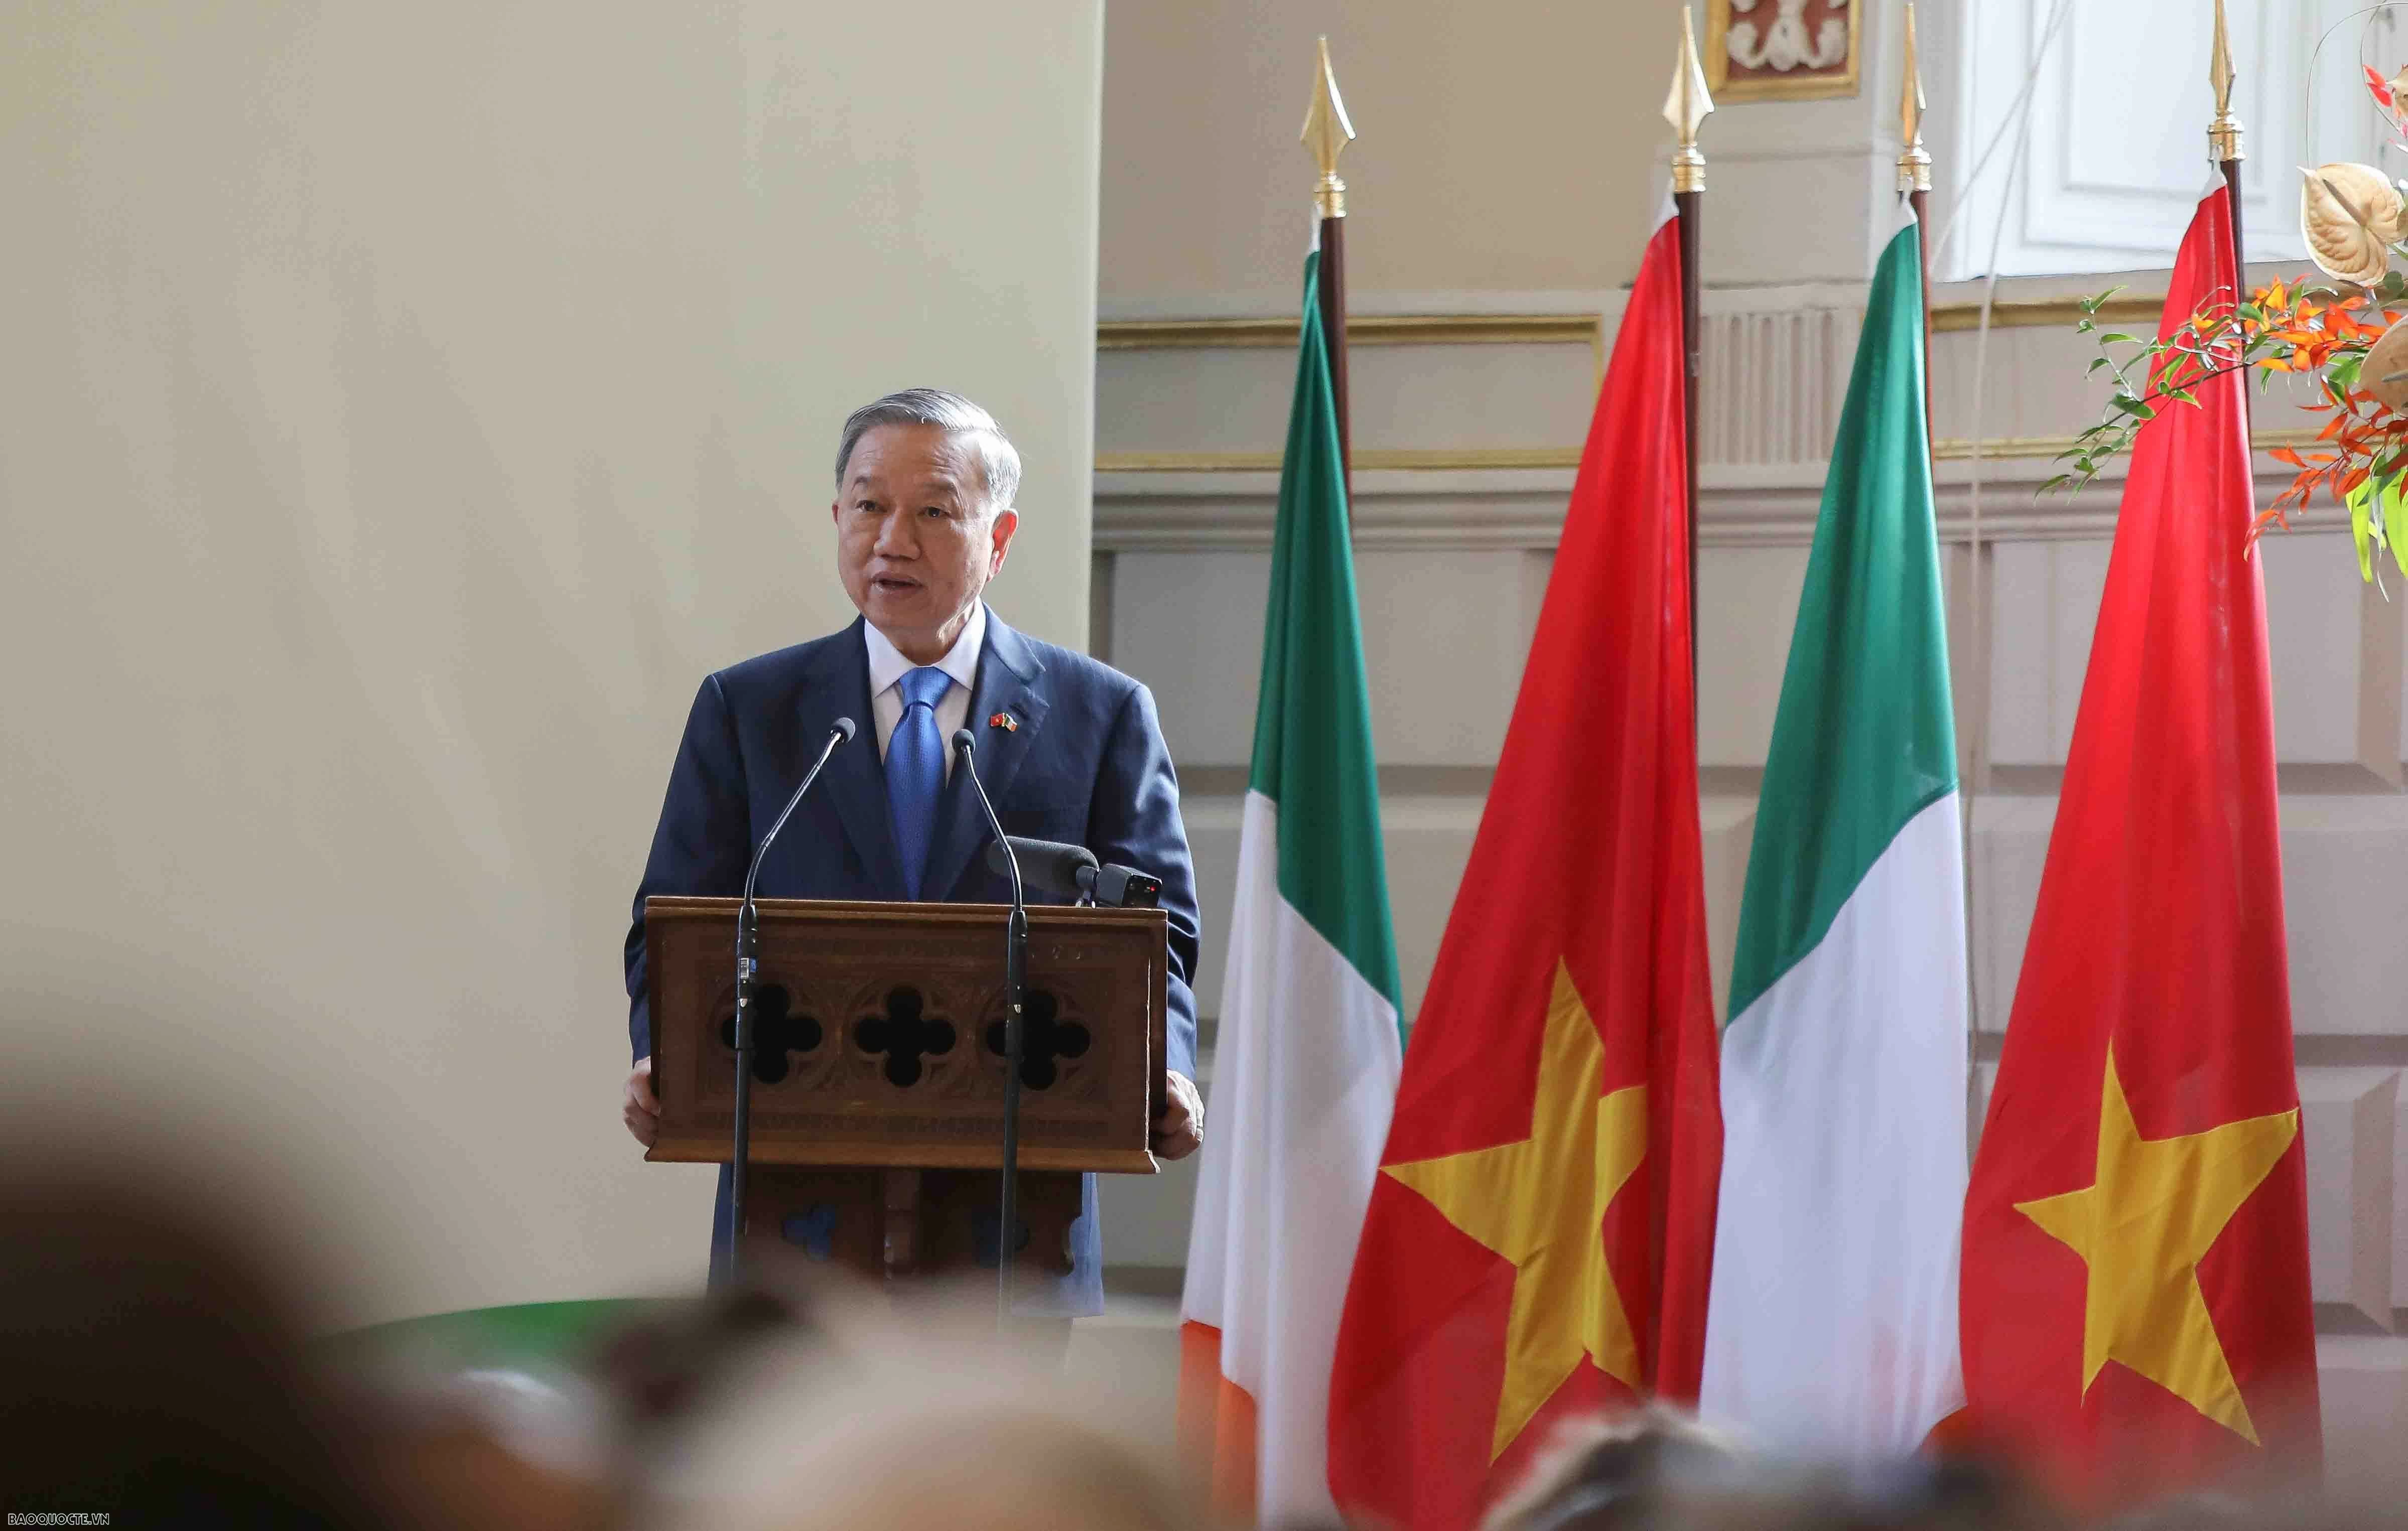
(1087, 767)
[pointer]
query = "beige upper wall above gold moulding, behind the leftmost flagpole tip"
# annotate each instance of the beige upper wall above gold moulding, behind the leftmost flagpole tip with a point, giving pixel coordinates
(1504, 148)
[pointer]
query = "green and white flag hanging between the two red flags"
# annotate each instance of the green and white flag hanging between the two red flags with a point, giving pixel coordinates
(1834, 1316)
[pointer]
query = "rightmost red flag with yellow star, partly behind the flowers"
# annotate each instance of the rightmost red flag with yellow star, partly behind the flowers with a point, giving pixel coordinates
(2137, 1299)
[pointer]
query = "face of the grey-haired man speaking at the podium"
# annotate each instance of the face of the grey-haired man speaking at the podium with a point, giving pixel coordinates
(914, 536)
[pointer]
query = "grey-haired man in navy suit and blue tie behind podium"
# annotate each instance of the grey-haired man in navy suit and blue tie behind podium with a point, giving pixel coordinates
(1068, 747)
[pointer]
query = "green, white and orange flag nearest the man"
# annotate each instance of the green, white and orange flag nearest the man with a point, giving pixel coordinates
(1306, 1065)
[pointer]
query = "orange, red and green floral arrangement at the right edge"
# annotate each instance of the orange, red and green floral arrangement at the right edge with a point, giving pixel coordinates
(2344, 336)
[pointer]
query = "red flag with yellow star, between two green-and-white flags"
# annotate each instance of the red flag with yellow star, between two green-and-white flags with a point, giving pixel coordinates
(1540, 1234)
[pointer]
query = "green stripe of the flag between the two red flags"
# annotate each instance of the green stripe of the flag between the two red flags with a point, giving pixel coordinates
(1865, 735)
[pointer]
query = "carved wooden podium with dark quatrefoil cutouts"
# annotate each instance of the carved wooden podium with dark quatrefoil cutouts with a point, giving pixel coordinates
(880, 1070)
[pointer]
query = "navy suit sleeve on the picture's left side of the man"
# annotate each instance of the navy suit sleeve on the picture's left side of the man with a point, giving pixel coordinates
(702, 841)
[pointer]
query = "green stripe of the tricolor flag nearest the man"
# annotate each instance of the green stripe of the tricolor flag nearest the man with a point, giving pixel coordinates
(1314, 752)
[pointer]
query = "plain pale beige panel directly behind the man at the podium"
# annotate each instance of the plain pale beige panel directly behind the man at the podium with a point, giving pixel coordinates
(403, 410)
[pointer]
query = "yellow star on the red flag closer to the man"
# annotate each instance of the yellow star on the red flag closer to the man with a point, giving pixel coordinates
(1542, 1205)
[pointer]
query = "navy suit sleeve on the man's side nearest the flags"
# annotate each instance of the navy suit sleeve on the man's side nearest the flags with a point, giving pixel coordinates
(1135, 822)
